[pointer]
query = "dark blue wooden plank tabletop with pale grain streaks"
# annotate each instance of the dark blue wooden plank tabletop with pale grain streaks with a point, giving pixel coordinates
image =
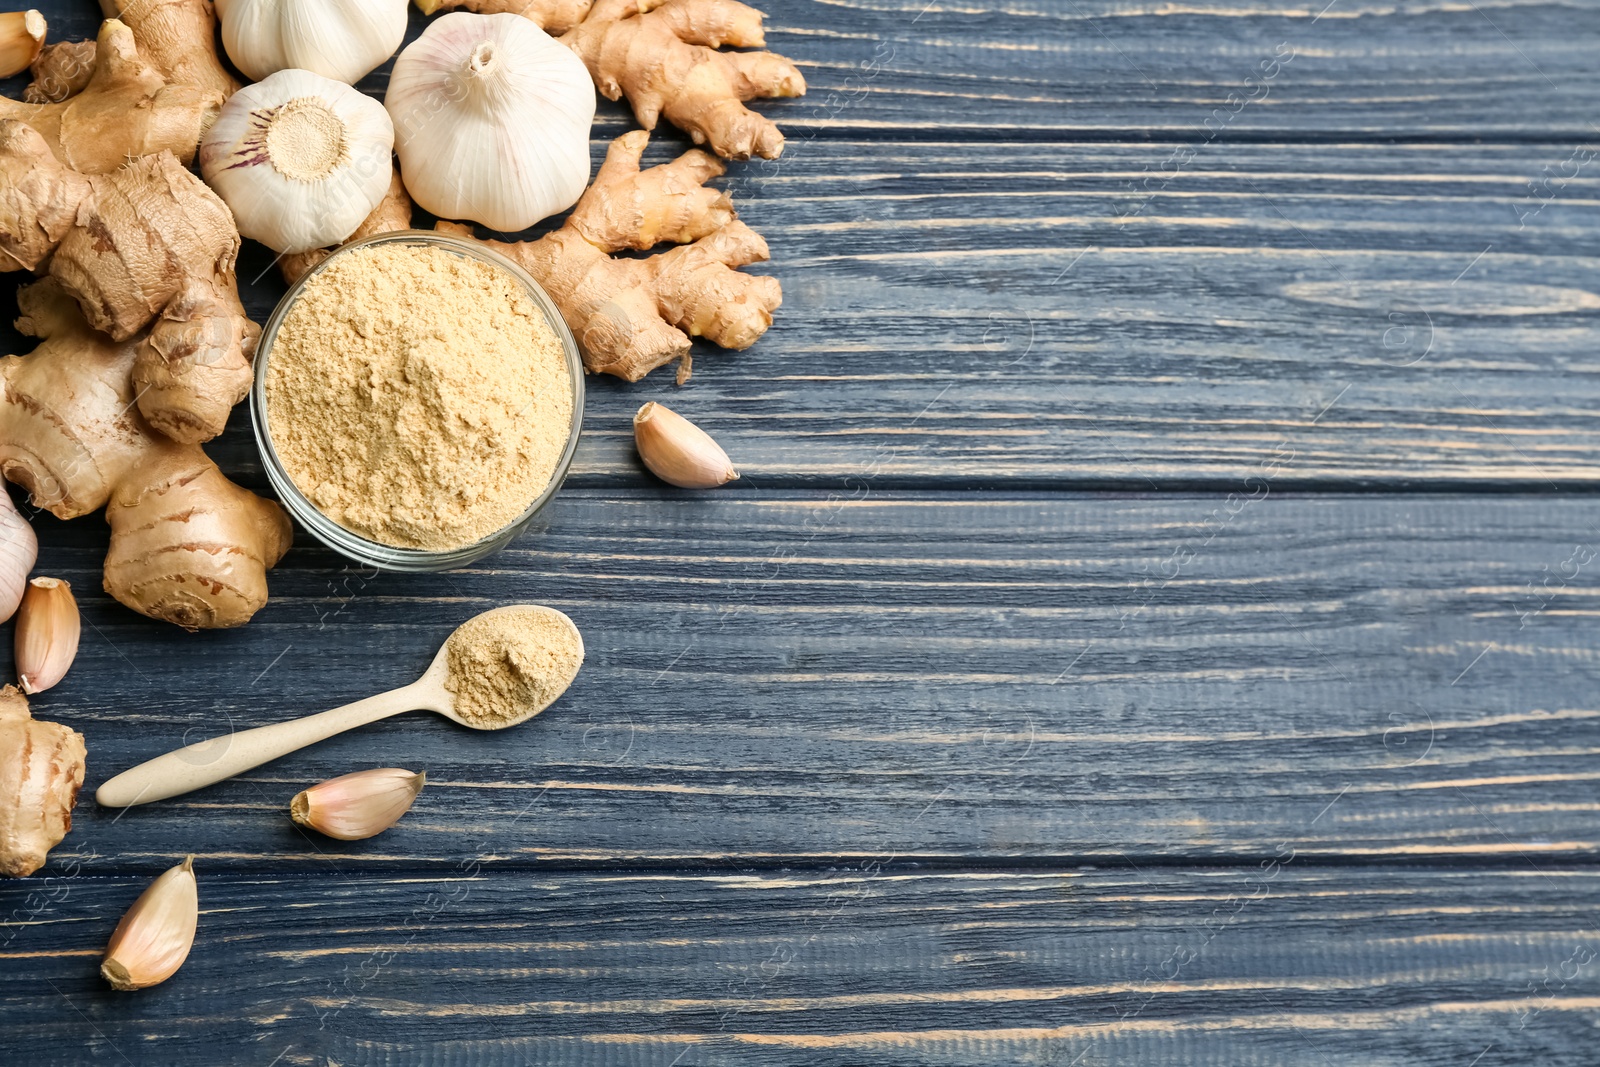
(1156, 623)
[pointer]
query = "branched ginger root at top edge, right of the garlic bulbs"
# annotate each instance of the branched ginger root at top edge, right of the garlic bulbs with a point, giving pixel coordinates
(665, 58)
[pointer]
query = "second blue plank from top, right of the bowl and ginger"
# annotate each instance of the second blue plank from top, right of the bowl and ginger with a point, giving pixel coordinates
(966, 314)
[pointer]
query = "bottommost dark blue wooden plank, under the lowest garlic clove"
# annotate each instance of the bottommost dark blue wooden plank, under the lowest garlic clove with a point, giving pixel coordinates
(1241, 967)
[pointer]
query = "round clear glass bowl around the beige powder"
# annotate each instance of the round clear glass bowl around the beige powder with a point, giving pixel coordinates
(350, 543)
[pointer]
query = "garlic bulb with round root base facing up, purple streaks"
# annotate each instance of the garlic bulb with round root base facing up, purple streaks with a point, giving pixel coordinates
(300, 159)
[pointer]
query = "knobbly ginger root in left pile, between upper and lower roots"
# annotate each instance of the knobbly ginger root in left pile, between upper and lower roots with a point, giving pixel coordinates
(146, 244)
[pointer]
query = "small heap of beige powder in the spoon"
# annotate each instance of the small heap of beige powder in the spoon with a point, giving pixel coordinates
(511, 661)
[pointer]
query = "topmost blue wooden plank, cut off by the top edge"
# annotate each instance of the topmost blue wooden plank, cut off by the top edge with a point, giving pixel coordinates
(1506, 70)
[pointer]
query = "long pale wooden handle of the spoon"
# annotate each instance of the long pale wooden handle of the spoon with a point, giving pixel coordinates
(209, 762)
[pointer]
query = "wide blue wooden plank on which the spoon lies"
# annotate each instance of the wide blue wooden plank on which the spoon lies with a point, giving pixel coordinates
(807, 679)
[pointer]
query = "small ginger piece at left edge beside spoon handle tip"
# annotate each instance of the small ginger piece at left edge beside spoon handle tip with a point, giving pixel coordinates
(41, 775)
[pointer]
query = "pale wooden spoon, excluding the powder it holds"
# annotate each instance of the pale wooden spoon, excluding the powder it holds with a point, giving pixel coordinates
(210, 762)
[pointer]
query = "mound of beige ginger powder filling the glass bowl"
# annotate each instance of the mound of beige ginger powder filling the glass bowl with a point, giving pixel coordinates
(418, 398)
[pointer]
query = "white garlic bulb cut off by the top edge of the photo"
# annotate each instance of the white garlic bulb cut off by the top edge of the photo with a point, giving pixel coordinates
(338, 39)
